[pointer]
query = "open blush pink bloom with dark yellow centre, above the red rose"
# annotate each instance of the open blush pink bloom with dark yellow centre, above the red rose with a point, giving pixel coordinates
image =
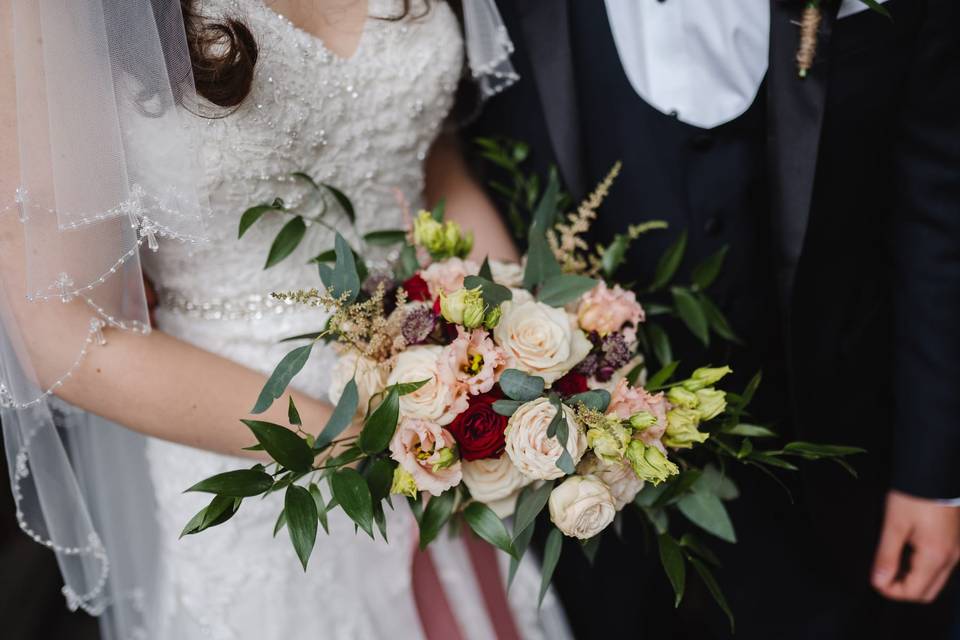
(472, 360)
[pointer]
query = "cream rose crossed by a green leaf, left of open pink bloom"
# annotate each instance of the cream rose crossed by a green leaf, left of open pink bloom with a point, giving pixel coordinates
(435, 401)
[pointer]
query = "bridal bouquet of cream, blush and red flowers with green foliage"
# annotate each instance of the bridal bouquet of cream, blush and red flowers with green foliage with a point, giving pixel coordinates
(482, 392)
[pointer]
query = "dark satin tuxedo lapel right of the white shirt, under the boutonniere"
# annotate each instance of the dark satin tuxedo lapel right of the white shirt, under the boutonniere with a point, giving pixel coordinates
(795, 118)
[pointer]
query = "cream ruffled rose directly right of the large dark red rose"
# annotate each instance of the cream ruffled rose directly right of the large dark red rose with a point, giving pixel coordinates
(528, 446)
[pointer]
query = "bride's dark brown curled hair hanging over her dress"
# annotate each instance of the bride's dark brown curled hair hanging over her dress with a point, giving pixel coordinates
(224, 53)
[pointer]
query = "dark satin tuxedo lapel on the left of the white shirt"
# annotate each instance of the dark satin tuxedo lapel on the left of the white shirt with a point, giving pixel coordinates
(546, 34)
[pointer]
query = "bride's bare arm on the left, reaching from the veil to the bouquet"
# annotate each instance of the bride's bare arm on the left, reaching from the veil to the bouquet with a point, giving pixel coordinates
(154, 384)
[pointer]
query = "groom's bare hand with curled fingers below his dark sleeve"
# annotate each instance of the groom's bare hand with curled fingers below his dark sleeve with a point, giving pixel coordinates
(932, 532)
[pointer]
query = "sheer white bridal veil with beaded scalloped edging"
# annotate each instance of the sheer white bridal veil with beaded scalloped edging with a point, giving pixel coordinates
(93, 120)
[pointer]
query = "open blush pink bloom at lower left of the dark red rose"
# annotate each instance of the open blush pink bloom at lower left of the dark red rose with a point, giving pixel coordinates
(417, 446)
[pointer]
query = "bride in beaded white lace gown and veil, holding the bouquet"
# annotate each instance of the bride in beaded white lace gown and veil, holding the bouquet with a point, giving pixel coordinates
(145, 128)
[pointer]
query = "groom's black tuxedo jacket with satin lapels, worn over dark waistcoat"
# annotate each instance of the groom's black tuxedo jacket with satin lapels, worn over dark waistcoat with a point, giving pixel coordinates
(864, 177)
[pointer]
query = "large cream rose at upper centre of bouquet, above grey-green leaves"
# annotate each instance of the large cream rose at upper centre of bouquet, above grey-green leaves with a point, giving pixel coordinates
(541, 340)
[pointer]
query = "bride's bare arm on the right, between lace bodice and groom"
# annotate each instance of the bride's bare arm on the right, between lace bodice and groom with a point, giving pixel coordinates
(448, 177)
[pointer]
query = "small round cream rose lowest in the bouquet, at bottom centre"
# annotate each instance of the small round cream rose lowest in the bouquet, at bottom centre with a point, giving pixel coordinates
(581, 507)
